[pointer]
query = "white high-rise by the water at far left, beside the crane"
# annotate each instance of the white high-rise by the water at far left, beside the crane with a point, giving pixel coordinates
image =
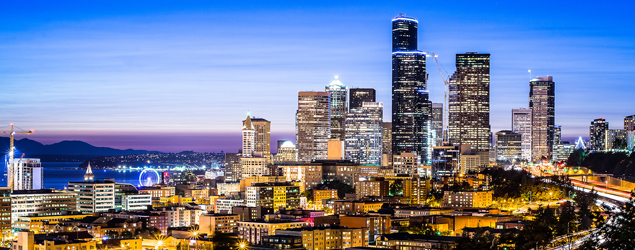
(27, 174)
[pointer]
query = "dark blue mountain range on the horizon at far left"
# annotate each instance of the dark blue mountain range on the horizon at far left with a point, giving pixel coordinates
(33, 148)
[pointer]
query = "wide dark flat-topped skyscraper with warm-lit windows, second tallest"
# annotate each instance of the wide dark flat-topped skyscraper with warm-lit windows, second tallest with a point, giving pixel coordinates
(468, 102)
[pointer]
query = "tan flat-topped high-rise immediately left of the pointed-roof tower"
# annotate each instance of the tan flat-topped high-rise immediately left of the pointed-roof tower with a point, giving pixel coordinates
(313, 125)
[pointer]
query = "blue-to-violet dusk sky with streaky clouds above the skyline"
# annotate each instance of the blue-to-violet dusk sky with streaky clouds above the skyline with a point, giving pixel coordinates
(119, 79)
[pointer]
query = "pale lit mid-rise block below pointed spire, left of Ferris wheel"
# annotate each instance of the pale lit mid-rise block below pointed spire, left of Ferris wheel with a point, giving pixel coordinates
(94, 196)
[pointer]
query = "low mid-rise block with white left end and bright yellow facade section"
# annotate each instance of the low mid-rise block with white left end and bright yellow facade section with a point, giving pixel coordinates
(273, 195)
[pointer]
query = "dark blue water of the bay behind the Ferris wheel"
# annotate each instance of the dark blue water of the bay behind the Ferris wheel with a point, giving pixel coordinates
(58, 174)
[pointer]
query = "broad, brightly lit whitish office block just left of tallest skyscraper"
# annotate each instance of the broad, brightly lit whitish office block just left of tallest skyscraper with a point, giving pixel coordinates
(364, 133)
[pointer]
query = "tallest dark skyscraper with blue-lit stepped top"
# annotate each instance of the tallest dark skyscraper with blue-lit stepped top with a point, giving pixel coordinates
(410, 99)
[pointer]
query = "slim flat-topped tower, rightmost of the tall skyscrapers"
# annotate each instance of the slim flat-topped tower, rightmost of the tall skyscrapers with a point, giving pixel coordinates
(542, 102)
